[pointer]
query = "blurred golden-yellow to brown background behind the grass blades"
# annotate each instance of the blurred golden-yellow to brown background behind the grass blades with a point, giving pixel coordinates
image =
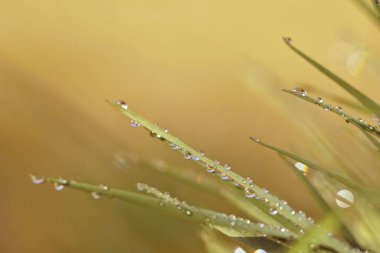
(210, 71)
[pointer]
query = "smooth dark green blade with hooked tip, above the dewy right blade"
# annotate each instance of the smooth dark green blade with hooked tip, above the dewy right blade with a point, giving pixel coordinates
(371, 105)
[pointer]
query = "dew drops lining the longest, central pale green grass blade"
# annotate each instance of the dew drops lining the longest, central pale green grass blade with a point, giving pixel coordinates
(247, 183)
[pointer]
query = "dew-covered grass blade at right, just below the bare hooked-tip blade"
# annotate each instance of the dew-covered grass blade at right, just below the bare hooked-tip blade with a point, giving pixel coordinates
(337, 110)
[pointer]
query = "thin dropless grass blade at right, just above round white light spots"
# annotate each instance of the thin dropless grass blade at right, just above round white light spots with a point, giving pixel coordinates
(370, 193)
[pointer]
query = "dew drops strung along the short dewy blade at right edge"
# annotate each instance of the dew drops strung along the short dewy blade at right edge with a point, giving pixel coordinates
(339, 110)
